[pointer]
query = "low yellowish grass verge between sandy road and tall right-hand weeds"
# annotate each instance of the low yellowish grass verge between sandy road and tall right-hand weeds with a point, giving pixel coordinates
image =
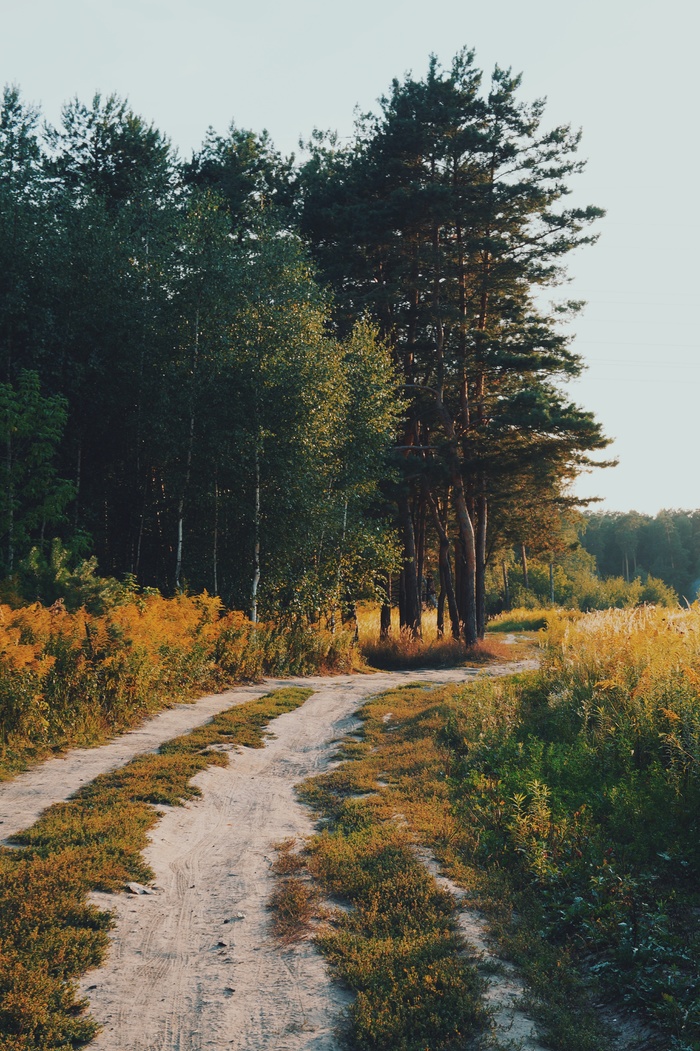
(397, 946)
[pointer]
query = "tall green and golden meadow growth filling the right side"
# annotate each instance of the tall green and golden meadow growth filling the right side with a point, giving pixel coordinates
(582, 788)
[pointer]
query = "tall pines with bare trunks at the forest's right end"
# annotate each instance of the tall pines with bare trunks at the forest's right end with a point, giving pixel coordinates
(443, 219)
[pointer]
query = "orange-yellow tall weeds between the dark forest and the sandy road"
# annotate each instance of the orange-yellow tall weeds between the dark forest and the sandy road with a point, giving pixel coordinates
(71, 678)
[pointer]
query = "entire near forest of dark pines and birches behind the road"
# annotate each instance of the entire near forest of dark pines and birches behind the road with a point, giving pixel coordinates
(292, 382)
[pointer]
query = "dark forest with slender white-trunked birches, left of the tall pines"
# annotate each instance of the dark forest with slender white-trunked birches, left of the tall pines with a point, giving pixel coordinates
(188, 368)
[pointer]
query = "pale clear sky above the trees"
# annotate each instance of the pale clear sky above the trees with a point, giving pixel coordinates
(623, 71)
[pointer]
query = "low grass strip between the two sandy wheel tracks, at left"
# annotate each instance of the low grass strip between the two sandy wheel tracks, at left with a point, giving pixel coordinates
(50, 935)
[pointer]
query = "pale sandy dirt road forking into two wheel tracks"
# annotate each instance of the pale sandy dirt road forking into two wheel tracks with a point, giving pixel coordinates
(179, 976)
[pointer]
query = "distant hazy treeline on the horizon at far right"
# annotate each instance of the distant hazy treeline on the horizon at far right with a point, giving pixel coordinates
(631, 545)
